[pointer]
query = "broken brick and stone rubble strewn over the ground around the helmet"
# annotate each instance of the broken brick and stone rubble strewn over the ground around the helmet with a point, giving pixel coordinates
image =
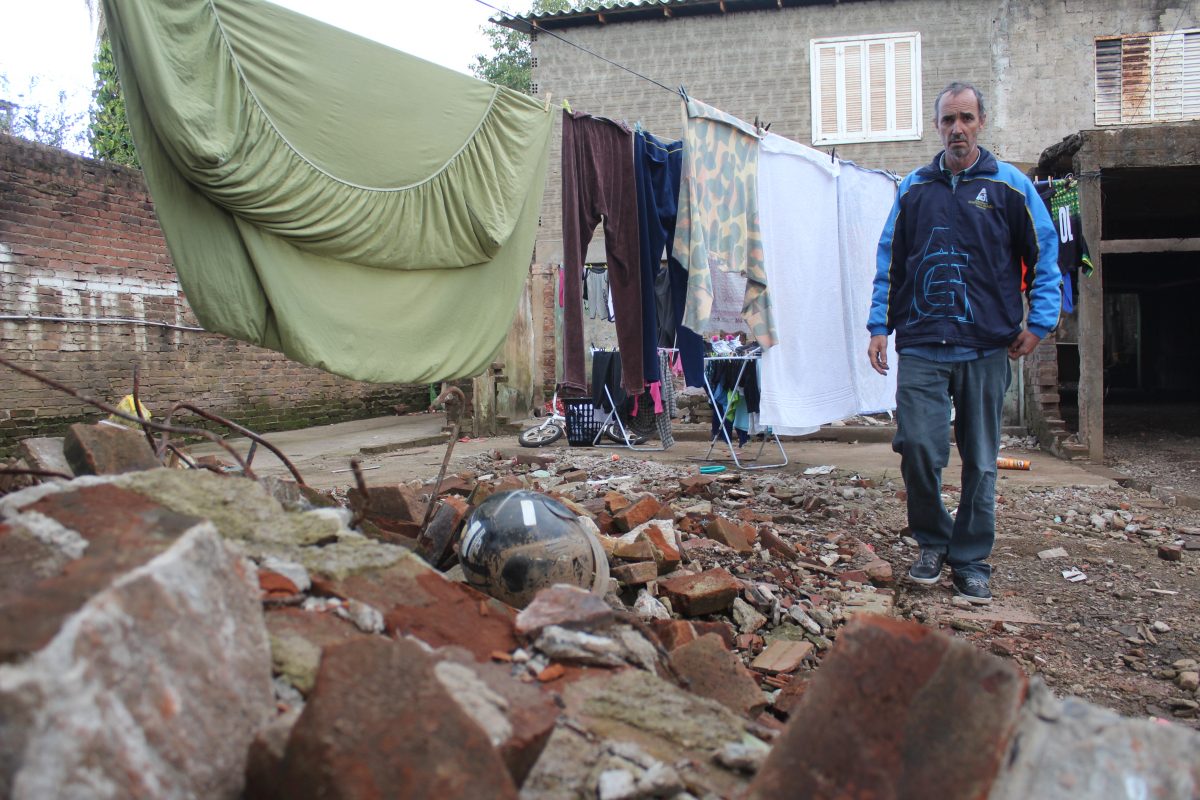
(757, 636)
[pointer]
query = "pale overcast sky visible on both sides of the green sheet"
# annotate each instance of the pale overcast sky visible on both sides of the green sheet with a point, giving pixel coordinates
(52, 41)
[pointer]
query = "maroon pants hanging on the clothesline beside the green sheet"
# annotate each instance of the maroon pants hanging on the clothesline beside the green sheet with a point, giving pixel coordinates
(599, 184)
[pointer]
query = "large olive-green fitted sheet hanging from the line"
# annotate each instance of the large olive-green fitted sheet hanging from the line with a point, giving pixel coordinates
(356, 208)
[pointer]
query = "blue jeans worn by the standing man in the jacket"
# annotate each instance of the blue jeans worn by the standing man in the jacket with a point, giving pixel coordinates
(925, 393)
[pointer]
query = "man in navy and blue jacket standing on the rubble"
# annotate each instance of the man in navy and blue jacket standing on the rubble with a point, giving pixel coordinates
(950, 285)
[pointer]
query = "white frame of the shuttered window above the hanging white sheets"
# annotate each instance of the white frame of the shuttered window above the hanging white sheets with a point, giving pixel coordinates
(892, 134)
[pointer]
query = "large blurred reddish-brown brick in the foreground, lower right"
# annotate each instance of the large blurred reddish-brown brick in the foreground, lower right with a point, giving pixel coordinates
(886, 685)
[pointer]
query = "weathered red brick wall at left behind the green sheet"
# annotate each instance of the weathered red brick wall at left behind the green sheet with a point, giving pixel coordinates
(80, 239)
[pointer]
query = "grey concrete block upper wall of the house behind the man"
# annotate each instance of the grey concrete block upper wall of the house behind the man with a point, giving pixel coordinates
(1033, 59)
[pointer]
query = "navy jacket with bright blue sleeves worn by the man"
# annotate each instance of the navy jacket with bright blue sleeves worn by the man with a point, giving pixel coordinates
(950, 261)
